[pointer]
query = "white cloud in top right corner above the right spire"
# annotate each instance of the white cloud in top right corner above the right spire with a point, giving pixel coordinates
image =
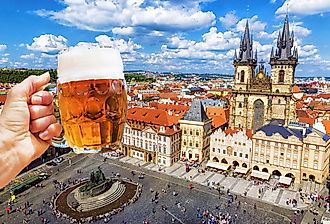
(305, 7)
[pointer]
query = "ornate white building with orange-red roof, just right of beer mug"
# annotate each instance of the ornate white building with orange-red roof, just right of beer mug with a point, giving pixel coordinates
(152, 135)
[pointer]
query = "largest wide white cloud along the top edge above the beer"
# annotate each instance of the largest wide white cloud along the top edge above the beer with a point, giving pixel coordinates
(103, 15)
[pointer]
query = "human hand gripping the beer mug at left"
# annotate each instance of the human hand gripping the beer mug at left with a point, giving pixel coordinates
(27, 124)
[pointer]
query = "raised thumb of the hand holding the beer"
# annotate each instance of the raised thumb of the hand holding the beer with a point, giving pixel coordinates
(29, 86)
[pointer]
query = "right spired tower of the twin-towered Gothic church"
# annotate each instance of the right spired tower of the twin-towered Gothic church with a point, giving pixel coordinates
(284, 61)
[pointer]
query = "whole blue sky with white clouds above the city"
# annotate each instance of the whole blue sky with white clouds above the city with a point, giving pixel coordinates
(163, 35)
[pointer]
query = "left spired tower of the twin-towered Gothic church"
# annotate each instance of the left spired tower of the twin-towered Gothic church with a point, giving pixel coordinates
(244, 63)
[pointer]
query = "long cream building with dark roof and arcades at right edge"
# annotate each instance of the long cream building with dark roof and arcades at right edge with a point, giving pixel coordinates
(296, 151)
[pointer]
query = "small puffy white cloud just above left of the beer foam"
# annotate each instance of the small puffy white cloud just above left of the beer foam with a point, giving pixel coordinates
(48, 43)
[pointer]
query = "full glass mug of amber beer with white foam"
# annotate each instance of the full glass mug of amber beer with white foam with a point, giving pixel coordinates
(92, 98)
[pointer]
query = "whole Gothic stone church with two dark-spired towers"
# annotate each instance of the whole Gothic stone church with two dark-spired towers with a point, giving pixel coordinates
(258, 98)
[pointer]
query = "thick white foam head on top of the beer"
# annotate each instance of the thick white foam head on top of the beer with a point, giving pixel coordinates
(89, 62)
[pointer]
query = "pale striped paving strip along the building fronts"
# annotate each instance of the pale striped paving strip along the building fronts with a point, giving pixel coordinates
(237, 185)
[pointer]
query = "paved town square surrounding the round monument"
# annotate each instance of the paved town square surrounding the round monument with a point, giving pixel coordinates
(269, 206)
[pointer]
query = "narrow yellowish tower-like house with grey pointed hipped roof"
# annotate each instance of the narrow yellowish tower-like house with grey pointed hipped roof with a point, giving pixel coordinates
(196, 131)
